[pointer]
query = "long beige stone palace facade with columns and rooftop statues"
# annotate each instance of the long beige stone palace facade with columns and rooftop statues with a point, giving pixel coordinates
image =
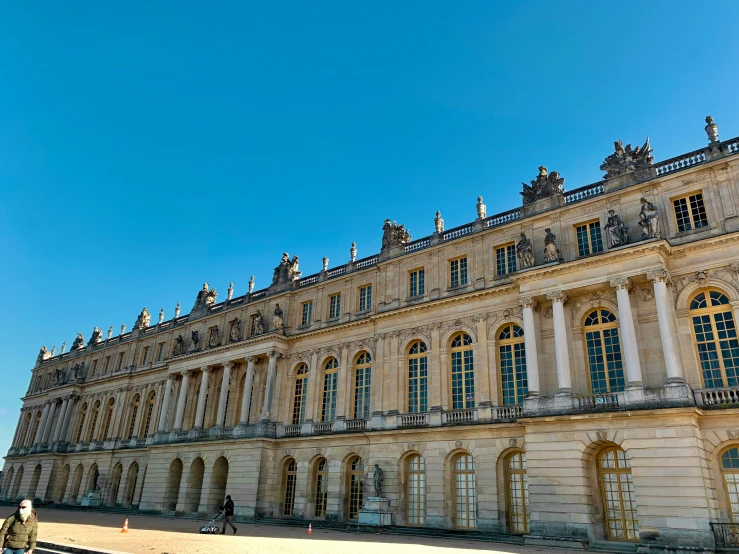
(564, 371)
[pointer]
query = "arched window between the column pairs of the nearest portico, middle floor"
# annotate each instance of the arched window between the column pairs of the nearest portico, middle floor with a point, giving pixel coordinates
(604, 352)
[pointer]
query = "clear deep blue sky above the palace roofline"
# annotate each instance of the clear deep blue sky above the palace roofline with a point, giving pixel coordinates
(148, 147)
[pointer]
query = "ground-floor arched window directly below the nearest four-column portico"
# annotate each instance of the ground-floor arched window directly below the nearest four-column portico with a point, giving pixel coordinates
(619, 501)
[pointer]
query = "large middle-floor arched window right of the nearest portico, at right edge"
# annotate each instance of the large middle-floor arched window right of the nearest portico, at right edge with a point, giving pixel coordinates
(716, 340)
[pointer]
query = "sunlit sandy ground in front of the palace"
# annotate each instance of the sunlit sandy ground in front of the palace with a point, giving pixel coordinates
(159, 535)
